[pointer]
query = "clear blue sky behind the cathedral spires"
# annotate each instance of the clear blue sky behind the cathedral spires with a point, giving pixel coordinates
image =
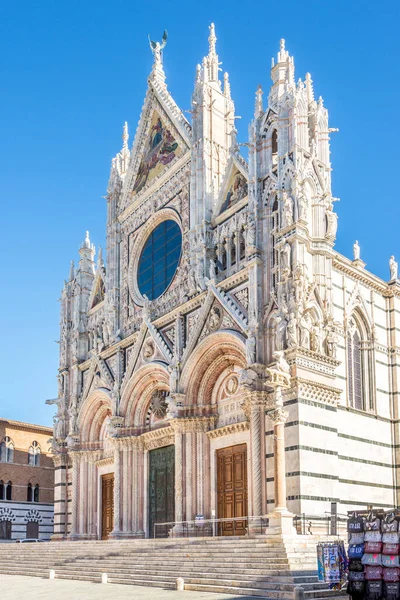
(73, 72)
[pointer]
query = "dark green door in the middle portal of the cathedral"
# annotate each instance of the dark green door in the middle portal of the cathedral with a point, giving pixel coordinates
(161, 489)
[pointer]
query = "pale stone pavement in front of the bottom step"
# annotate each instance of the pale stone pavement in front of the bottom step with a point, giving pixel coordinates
(16, 587)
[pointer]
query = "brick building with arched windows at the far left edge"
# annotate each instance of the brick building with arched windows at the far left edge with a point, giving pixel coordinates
(26, 481)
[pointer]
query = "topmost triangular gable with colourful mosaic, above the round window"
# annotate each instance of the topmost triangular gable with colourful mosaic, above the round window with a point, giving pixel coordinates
(162, 138)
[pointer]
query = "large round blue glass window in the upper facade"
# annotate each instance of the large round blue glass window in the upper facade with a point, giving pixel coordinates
(159, 259)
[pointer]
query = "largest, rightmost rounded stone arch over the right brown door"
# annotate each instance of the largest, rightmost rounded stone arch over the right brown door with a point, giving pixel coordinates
(215, 354)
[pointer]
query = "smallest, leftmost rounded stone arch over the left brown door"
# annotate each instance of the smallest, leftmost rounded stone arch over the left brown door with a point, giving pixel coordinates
(96, 408)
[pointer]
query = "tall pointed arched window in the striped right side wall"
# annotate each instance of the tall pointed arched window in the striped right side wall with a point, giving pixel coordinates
(359, 372)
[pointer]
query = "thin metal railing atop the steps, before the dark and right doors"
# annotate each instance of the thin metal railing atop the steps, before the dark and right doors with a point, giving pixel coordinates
(213, 527)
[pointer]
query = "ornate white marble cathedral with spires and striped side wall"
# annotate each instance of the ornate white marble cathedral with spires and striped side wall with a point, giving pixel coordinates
(223, 359)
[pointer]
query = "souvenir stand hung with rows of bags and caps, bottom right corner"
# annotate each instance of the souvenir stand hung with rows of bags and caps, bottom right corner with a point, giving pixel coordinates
(374, 568)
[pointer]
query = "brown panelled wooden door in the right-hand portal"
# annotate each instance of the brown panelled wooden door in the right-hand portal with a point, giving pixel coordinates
(232, 488)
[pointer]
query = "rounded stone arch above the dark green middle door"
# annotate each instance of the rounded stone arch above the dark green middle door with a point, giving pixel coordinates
(137, 394)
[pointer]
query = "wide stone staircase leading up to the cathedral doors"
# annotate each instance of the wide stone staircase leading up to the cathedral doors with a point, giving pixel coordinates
(261, 567)
